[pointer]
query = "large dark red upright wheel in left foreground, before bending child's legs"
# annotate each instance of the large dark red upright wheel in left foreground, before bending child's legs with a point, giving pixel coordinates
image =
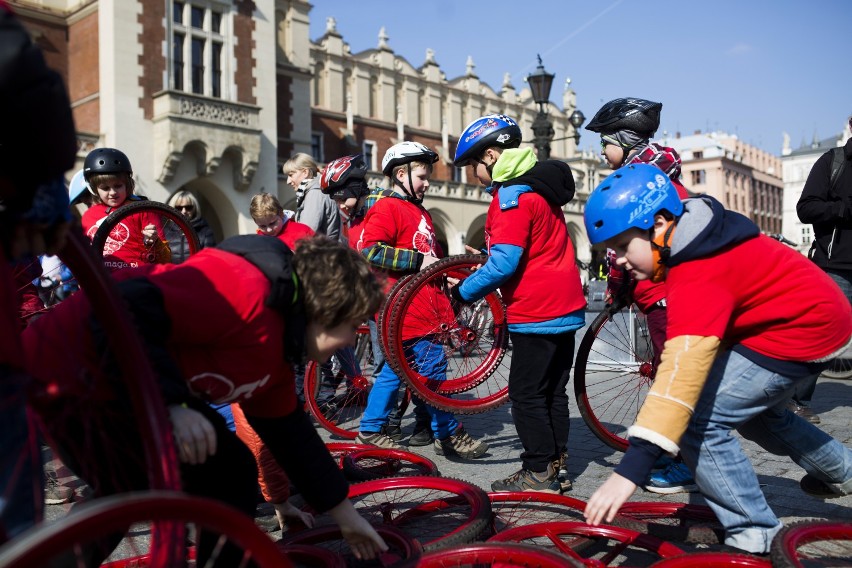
(157, 456)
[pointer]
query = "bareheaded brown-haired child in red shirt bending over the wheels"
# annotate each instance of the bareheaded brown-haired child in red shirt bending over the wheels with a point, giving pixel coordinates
(222, 327)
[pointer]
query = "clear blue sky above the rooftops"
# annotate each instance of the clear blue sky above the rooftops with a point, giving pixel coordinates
(755, 68)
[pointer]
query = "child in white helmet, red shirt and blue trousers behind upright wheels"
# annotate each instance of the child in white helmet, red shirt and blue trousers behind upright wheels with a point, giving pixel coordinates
(398, 238)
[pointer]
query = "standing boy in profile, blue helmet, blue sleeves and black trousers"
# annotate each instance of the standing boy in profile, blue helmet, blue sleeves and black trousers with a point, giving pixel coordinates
(531, 259)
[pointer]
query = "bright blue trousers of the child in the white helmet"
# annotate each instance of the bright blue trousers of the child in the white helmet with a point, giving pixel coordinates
(430, 362)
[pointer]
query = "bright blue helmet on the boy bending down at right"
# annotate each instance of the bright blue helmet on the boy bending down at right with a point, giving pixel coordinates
(629, 198)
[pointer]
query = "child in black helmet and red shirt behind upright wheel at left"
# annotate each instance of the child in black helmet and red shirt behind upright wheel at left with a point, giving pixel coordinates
(109, 178)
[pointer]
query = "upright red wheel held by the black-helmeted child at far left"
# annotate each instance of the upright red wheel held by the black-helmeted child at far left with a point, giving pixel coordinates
(113, 232)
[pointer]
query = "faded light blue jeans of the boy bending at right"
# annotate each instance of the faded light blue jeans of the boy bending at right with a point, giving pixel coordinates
(741, 395)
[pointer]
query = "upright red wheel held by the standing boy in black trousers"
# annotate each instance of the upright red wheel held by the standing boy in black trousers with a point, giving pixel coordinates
(477, 377)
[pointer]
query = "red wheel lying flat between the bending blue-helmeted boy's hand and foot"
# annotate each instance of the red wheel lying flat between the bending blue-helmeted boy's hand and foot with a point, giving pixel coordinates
(682, 522)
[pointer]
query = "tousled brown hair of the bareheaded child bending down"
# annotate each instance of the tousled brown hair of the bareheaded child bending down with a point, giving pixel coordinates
(337, 282)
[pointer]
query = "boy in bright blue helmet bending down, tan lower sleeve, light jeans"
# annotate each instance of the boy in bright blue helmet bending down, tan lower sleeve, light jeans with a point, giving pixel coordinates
(748, 320)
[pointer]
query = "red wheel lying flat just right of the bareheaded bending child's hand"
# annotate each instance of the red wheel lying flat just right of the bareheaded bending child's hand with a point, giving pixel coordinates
(437, 511)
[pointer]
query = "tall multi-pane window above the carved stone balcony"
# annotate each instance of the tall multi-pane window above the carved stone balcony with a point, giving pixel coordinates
(198, 49)
